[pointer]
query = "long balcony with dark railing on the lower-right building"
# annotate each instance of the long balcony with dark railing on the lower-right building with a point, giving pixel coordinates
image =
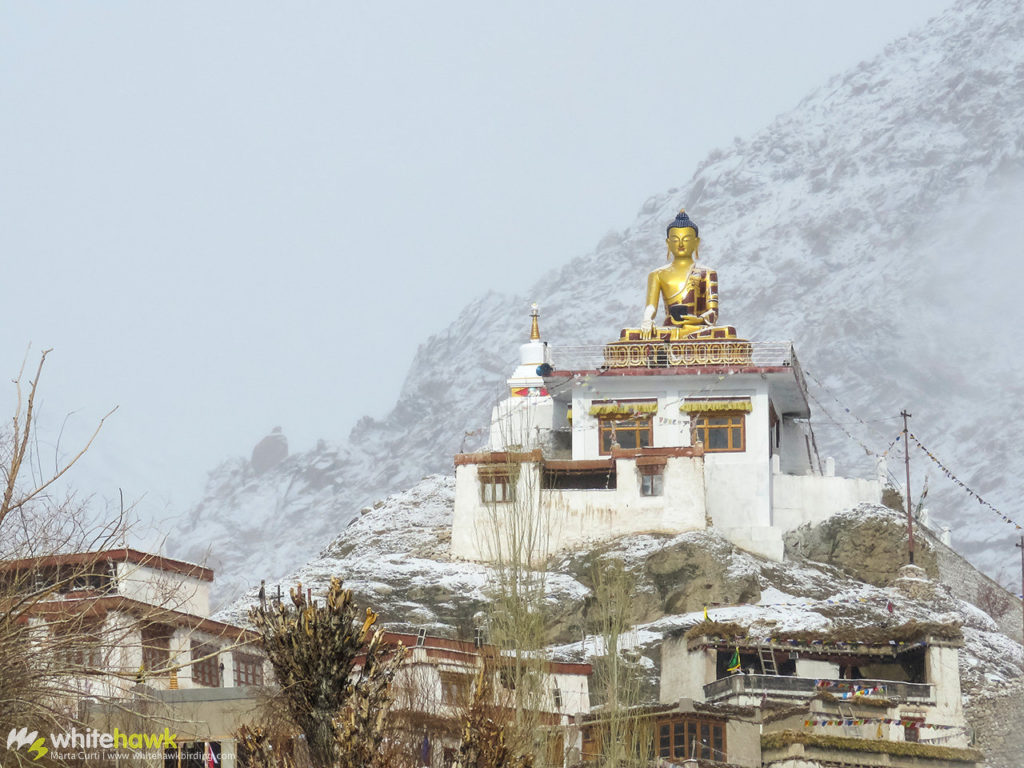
(803, 689)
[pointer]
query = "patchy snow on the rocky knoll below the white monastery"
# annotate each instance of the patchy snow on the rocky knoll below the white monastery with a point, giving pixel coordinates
(396, 557)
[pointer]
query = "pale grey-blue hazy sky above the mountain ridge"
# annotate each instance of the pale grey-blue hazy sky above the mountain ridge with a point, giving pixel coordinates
(230, 217)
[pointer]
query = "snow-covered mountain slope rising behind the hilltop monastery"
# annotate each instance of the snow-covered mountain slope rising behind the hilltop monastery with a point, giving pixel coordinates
(877, 226)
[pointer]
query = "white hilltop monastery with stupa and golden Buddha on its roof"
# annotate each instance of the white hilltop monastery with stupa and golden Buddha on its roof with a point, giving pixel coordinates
(668, 430)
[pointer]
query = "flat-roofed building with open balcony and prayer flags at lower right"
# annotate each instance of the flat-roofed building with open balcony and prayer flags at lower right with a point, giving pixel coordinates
(860, 697)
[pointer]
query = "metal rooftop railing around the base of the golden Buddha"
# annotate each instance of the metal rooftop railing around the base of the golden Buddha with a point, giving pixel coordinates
(661, 355)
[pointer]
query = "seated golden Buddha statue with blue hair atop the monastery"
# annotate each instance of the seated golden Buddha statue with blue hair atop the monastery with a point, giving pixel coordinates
(689, 290)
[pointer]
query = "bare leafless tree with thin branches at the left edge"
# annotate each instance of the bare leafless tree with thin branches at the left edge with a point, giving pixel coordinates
(50, 651)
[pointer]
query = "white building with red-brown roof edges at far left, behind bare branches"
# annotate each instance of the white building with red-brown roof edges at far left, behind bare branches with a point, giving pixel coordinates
(129, 653)
